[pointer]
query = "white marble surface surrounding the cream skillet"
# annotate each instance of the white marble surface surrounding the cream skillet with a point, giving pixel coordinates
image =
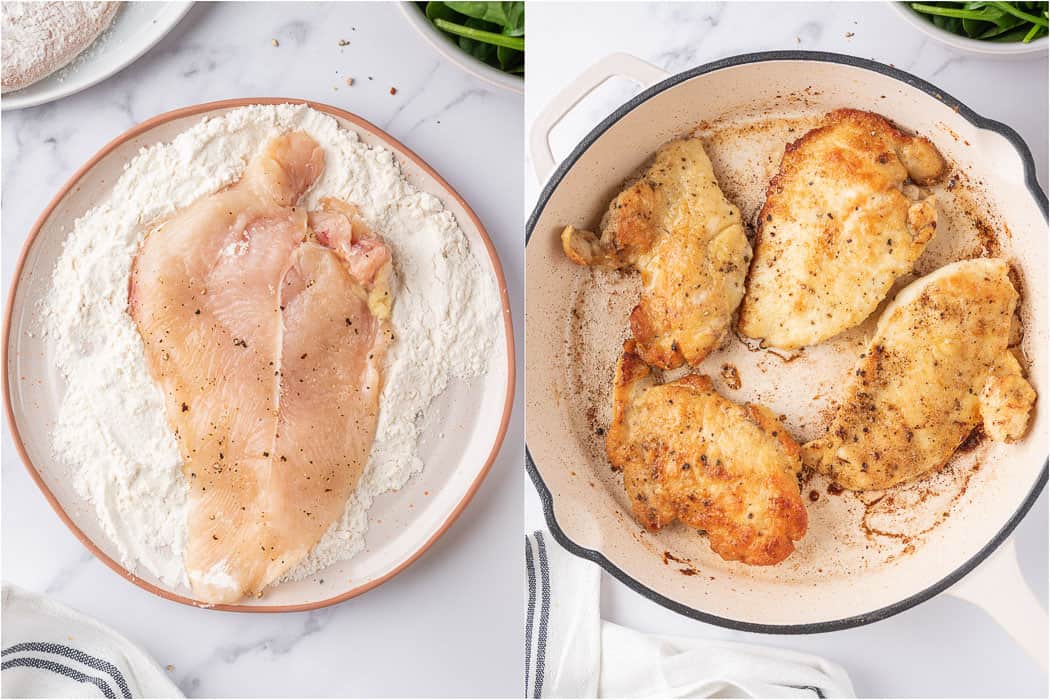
(944, 648)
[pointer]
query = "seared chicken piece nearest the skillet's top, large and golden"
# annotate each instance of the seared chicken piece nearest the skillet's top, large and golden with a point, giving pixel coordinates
(843, 221)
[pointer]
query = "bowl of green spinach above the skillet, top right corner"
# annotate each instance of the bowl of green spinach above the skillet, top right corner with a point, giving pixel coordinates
(983, 28)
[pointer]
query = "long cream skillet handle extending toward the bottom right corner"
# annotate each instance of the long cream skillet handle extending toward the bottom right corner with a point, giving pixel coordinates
(999, 588)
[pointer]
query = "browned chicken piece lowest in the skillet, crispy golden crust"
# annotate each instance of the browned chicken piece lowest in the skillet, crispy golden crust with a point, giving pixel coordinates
(689, 454)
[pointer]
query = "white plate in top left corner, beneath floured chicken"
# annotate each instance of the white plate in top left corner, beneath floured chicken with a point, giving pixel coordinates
(137, 28)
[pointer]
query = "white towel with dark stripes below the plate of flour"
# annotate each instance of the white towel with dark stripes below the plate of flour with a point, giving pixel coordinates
(50, 651)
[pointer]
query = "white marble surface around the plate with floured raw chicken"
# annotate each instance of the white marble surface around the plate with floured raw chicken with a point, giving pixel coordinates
(449, 626)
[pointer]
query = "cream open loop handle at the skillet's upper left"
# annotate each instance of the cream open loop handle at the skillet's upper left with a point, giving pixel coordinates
(622, 66)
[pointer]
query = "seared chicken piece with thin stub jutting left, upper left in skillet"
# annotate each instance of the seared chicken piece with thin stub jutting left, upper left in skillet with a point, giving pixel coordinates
(679, 230)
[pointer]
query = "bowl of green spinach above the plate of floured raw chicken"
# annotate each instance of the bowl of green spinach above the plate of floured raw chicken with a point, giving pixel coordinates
(487, 39)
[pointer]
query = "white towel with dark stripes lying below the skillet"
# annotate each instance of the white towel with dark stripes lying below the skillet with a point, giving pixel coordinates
(571, 652)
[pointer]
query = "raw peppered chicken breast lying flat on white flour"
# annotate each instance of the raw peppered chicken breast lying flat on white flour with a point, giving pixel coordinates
(268, 345)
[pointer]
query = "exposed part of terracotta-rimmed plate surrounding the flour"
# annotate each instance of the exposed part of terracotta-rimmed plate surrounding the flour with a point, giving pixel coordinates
(466, 426)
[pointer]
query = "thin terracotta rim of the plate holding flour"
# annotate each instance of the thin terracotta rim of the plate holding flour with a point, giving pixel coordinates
(201, 110)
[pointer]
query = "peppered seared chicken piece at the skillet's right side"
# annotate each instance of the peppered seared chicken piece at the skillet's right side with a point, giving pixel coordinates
(937, 368)
